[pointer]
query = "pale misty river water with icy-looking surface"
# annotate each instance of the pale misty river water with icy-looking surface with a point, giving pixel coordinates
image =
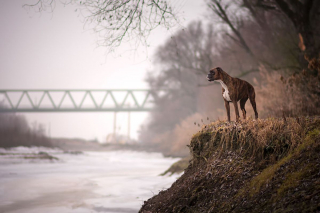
(113, 181)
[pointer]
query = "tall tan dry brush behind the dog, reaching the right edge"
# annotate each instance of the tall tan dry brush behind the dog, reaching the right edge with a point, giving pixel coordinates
(294, 95)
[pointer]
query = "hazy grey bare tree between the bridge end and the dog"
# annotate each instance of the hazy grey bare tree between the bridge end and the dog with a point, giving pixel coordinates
(180, 66)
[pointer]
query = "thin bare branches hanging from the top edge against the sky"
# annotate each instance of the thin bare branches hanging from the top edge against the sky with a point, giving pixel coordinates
(116, 21)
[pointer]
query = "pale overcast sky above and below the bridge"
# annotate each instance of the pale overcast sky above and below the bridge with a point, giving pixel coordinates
(54, 51)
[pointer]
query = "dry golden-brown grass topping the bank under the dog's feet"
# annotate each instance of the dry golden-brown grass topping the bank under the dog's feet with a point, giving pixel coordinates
(269, 139)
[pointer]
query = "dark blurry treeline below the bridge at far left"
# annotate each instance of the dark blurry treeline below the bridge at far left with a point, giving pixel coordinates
(15, 131)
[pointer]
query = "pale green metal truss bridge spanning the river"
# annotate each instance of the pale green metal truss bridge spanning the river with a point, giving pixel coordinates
(76, 100)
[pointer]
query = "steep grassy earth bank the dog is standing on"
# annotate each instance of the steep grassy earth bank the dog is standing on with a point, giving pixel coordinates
(267, 165)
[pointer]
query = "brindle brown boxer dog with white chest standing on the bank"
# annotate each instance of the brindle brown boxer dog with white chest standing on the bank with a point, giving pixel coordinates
(234, 90)
